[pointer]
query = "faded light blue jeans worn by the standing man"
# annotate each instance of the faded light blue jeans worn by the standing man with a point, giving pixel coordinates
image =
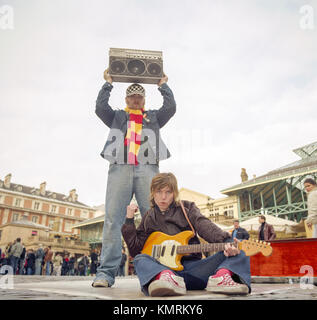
(124, 181)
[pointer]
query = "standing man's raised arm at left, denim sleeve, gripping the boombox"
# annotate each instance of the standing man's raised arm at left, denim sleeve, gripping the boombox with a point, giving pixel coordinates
(103, 109)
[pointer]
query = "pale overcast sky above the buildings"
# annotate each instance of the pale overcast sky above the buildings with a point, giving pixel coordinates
(243, 75)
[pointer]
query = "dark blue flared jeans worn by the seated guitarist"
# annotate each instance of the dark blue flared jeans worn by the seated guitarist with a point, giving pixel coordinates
(196, 272)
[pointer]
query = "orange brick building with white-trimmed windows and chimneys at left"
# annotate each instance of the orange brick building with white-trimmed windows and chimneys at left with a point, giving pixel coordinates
(55, 211)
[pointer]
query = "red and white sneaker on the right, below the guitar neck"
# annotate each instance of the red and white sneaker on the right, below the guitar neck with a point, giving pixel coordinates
(226, 285)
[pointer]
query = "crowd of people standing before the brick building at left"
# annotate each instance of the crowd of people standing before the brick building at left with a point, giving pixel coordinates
(43, 261)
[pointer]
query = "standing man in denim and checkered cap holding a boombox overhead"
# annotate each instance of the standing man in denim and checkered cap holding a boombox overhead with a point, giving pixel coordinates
(133, 148)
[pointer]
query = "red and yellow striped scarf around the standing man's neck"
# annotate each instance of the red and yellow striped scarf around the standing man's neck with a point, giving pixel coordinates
(133, 137)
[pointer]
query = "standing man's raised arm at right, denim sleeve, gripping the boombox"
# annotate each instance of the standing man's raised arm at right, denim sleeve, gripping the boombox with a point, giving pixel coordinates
(169, 105)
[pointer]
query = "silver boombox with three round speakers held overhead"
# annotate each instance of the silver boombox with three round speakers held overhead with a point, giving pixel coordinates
(137, 66)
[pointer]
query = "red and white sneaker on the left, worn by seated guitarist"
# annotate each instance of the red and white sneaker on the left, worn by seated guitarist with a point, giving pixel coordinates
(167, 283)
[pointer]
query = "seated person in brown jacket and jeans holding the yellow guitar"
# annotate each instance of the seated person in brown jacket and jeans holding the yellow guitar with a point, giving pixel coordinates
(225, 272)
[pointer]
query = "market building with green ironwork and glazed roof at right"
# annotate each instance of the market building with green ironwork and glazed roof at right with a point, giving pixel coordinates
(280, 192)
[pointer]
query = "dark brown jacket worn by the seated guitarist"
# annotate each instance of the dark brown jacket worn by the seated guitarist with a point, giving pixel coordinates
(171, 222)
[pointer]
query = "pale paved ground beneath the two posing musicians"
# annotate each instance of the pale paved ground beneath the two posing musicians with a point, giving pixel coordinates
(127, 288)
